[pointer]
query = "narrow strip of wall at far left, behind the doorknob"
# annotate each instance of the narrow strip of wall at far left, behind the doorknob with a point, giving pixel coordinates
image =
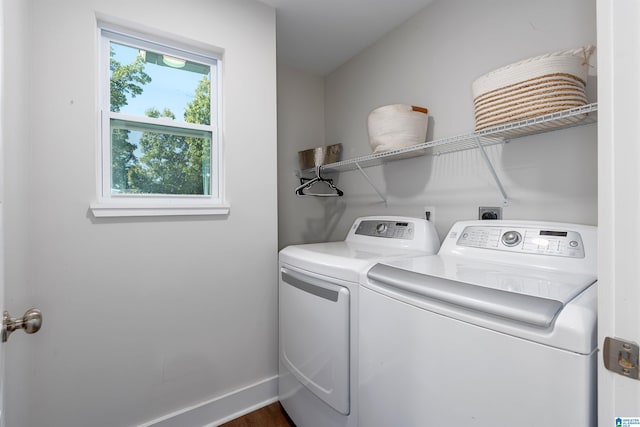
(16, 179)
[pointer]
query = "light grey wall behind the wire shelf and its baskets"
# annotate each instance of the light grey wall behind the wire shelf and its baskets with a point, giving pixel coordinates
(431, 61)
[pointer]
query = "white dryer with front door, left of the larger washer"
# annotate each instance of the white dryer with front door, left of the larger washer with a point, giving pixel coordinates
(318, 313)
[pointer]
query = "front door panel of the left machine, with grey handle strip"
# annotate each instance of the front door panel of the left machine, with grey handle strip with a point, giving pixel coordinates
(314, 335)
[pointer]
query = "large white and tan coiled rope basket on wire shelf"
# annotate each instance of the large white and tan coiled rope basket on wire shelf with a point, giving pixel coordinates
(533, 87)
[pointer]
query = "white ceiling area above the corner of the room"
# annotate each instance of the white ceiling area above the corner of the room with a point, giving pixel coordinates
(317, 36)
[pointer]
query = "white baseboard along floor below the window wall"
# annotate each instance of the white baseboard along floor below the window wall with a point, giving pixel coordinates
(223, 408)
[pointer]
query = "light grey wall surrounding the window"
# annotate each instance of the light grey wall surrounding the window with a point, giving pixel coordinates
(142, 317)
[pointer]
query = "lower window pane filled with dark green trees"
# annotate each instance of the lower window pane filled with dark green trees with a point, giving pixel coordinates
(154, 159)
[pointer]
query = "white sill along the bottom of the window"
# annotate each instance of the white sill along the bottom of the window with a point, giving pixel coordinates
(110, 210)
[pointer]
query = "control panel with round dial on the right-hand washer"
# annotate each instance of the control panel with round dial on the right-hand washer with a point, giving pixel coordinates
(564, 243)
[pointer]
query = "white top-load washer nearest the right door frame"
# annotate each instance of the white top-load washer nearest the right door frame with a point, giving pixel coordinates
(497, 329)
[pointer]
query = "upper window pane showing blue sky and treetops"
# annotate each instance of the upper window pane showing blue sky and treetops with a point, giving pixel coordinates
(144, 82)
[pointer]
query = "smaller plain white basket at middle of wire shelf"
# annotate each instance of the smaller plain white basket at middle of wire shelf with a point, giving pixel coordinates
(397, 126)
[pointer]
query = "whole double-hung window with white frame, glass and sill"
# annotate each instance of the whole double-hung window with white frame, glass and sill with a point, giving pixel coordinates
(160, 133)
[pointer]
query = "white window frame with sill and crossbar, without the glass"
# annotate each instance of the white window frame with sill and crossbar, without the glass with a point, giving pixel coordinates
(119, 205)
